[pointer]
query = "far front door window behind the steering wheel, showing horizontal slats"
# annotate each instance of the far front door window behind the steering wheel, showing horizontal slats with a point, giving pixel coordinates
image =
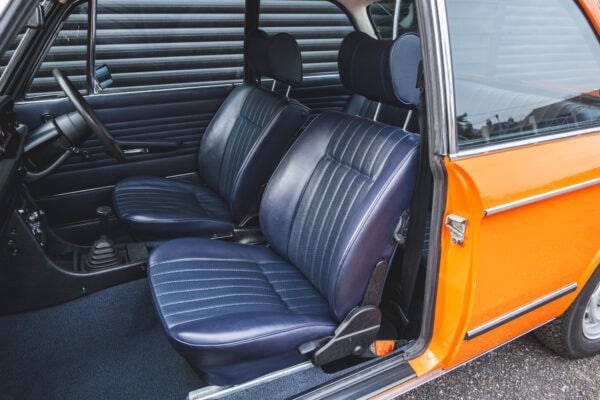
(150, 44)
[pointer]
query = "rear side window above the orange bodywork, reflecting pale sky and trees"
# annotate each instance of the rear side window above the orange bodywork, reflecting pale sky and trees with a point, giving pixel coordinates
(522, 70)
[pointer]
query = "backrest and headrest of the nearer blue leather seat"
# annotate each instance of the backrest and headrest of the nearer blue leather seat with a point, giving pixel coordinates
(334, 201)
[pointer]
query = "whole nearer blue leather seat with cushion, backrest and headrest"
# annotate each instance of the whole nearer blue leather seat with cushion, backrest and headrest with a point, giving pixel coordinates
(328, 213)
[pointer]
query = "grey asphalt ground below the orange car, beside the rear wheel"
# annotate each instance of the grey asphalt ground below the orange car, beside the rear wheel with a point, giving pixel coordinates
(523, 369)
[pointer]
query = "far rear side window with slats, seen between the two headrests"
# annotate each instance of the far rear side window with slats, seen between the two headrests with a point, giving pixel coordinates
(318, 25)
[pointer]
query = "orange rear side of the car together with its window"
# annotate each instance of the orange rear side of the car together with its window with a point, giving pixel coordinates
(523, 172)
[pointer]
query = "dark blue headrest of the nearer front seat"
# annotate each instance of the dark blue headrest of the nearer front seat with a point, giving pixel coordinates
(386, 71)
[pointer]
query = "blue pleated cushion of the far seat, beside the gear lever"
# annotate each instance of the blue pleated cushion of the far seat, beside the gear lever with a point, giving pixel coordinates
(158, 207)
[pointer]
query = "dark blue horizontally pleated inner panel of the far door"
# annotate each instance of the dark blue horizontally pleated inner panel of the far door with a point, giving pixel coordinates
(180, 114)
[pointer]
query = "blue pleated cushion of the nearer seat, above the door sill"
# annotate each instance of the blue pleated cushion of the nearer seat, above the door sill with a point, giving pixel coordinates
(235, 311)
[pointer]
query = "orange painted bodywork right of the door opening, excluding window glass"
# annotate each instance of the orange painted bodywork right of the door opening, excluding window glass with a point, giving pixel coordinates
(532, 216)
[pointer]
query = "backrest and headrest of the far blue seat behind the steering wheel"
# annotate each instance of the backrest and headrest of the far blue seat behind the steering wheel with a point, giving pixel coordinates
(253, 127)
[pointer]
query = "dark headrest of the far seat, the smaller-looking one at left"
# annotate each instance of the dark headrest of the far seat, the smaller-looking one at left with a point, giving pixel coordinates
(276, 57)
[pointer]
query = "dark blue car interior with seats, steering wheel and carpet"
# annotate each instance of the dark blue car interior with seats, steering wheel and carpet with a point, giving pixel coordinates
(240, 240)
